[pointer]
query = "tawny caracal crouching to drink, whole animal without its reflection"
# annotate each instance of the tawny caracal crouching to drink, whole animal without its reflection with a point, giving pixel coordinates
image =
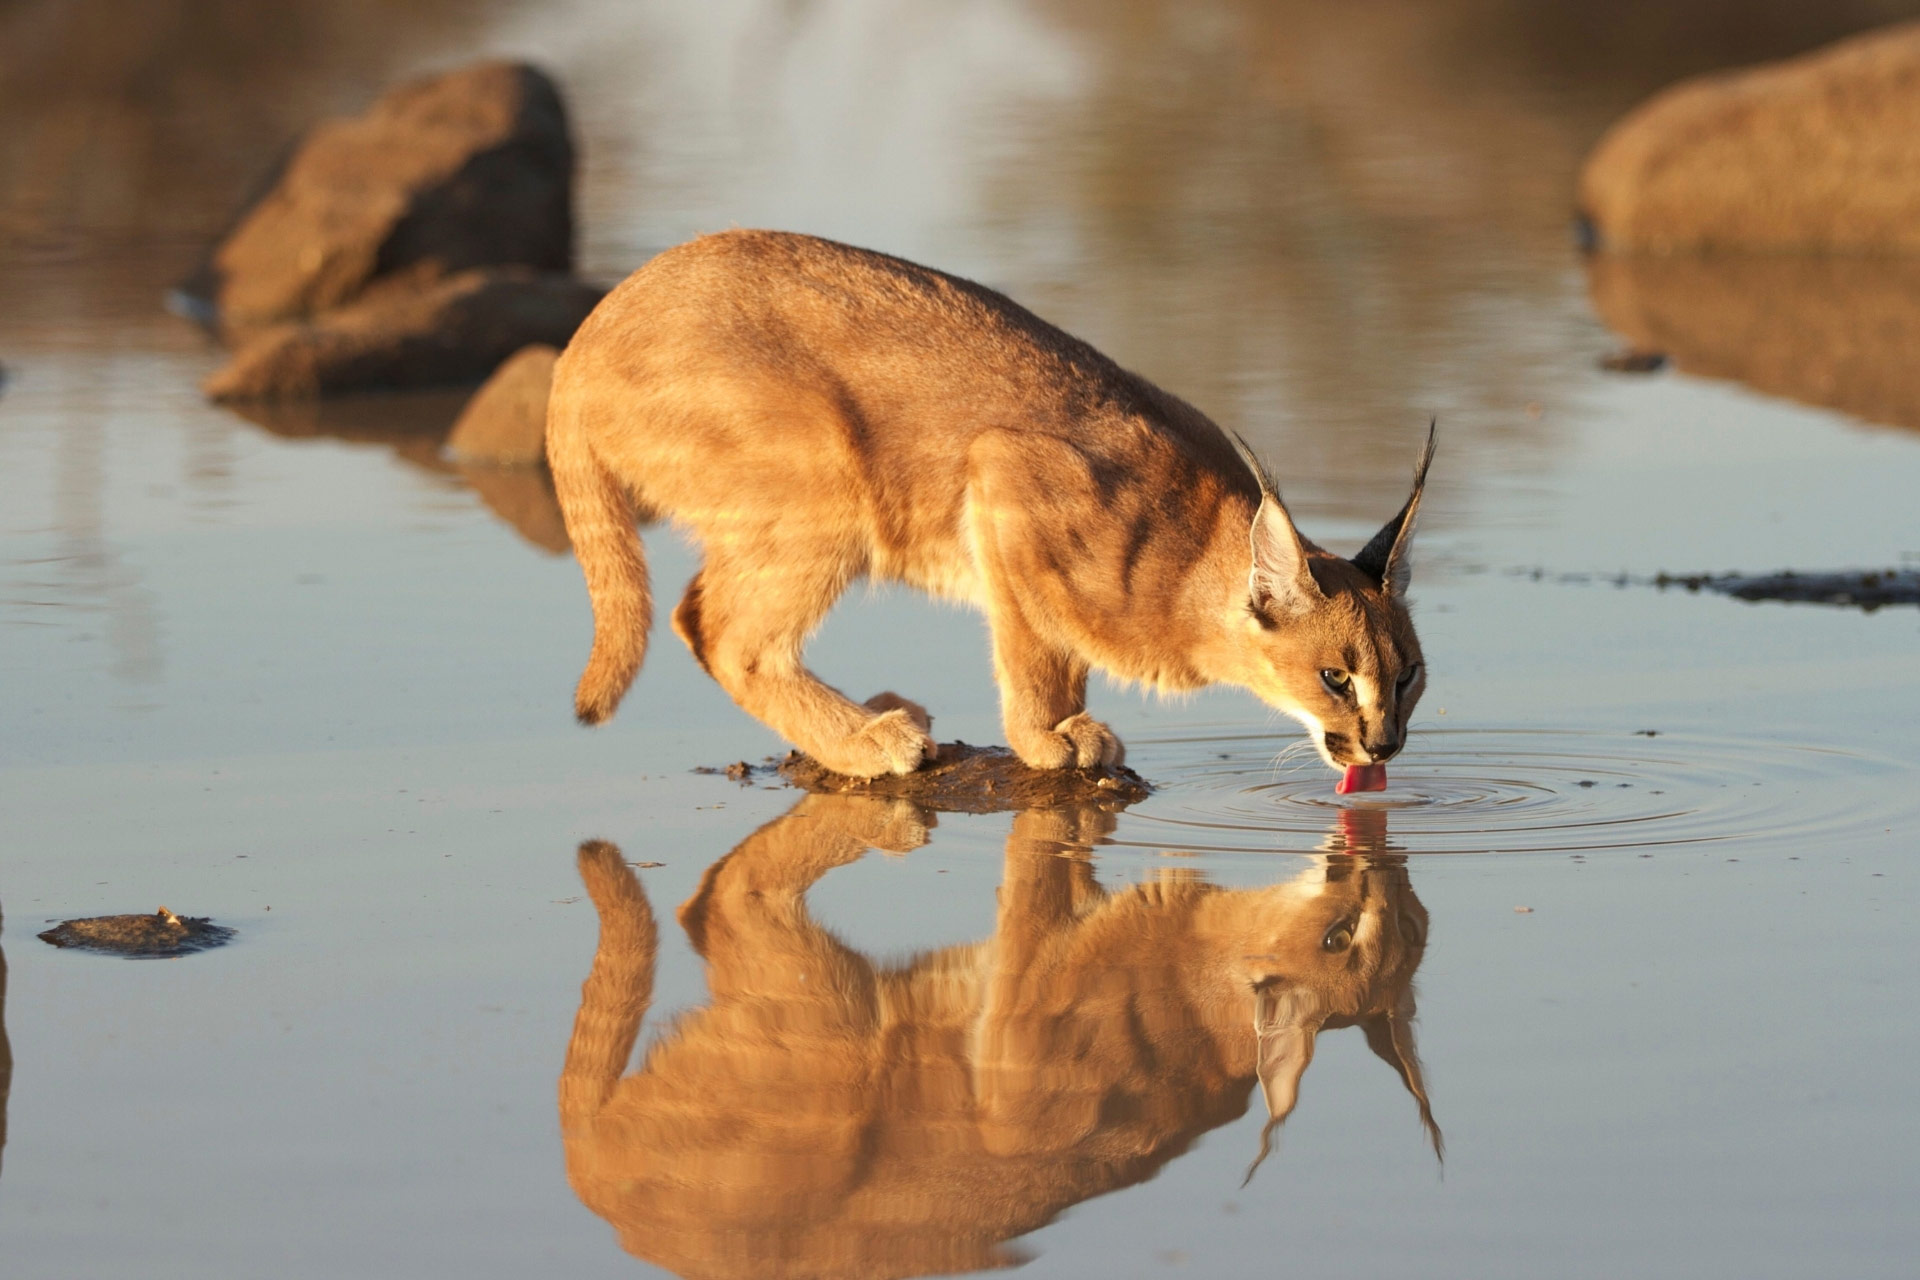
(817, 414)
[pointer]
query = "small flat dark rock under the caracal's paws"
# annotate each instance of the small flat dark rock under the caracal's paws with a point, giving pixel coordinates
(978, 780)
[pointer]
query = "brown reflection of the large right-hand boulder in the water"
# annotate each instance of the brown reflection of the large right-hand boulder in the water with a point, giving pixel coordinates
(1838, 333)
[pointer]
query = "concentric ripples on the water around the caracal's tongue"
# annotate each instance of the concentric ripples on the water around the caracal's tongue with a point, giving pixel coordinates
(1520, 792)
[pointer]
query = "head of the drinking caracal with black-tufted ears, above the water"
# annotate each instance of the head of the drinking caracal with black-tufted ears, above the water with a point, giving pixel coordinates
(1332, 640)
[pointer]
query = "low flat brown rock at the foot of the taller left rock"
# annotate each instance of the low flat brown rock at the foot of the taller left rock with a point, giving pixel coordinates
(396, 337)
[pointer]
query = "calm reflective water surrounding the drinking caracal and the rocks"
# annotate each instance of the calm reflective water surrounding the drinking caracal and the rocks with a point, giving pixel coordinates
(302, 676)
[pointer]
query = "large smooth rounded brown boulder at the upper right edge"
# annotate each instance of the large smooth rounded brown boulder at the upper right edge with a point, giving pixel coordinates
(1812, 154)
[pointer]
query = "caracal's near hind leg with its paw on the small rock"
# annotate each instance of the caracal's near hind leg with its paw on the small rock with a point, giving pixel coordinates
(748, 621)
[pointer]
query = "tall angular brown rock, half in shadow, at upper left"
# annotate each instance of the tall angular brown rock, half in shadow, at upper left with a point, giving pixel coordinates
(464, 170)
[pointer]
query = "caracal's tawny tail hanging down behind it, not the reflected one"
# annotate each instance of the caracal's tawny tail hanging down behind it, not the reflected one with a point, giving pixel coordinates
(602, 521)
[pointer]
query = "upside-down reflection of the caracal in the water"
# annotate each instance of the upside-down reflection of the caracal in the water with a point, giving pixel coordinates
(832, 1118)
